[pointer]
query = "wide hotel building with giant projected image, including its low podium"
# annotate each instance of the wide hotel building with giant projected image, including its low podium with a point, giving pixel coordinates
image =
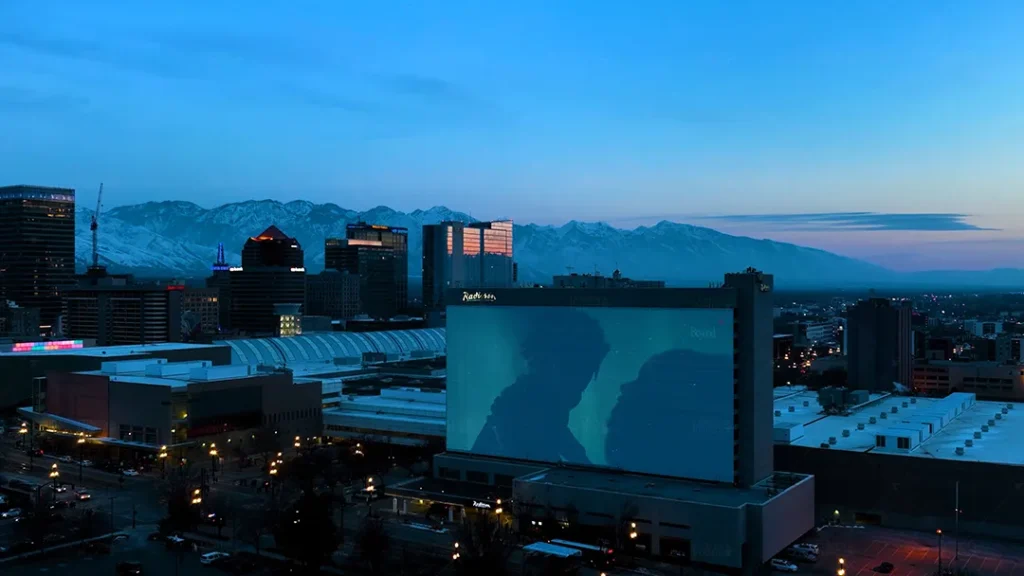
(650, 413)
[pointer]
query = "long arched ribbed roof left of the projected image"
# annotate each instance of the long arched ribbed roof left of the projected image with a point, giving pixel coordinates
(324, 347)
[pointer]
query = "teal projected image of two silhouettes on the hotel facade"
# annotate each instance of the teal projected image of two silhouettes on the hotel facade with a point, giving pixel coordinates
(642, 390)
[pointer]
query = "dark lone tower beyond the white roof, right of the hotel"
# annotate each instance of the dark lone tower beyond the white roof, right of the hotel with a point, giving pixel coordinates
(881, 345)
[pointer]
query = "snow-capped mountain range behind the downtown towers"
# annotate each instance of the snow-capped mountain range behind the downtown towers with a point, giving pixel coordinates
(181, 239)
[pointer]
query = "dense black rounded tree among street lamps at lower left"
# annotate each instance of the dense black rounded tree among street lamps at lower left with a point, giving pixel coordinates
(307, 532)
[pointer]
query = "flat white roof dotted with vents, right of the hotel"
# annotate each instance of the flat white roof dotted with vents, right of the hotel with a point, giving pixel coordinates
(999, 445)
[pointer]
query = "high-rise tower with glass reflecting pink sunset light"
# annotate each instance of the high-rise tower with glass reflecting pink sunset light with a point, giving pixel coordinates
(465, 256)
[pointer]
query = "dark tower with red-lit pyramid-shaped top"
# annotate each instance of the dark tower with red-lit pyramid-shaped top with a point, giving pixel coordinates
(273, 272)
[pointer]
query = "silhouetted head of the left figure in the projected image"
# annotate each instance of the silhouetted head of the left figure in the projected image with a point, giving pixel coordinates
(565, 354)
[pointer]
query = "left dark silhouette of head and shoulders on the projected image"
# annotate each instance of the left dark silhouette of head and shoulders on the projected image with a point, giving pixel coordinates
(564, 350)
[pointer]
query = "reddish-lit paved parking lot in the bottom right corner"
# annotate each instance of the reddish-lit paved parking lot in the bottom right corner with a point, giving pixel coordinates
(912, 554)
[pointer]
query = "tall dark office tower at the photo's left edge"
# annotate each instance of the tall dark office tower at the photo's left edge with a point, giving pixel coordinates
(37, 248)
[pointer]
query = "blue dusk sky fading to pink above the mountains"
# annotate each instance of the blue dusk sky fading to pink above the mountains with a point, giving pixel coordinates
(890, 132)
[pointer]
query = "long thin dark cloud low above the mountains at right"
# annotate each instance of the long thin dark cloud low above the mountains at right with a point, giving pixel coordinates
(866, 222)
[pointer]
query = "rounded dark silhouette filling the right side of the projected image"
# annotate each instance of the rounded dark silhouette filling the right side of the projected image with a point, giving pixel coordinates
(662, 407)
